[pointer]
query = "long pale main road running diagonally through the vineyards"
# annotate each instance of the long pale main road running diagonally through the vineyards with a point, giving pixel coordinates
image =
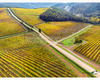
(79, 62)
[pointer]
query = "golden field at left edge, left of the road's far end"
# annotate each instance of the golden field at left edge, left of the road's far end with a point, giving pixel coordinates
(7, 24)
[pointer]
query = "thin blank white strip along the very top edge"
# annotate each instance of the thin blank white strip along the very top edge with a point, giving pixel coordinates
(63, 1)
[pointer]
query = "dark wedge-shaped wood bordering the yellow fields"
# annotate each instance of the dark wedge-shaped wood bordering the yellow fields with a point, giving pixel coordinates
(56, 14)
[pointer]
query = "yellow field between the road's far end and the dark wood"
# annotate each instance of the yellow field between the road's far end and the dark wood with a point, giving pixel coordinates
(31, 16)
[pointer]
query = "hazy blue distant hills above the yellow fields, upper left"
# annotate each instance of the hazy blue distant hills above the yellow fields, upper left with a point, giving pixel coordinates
(27, 5)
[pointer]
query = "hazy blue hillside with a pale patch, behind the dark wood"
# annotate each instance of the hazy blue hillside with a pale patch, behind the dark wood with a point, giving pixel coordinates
(84, 9)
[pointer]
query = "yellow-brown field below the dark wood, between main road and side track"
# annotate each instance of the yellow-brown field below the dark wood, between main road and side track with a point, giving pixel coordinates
(59, 30)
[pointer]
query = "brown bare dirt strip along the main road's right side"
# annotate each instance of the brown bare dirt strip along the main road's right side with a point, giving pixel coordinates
(71, 49)
